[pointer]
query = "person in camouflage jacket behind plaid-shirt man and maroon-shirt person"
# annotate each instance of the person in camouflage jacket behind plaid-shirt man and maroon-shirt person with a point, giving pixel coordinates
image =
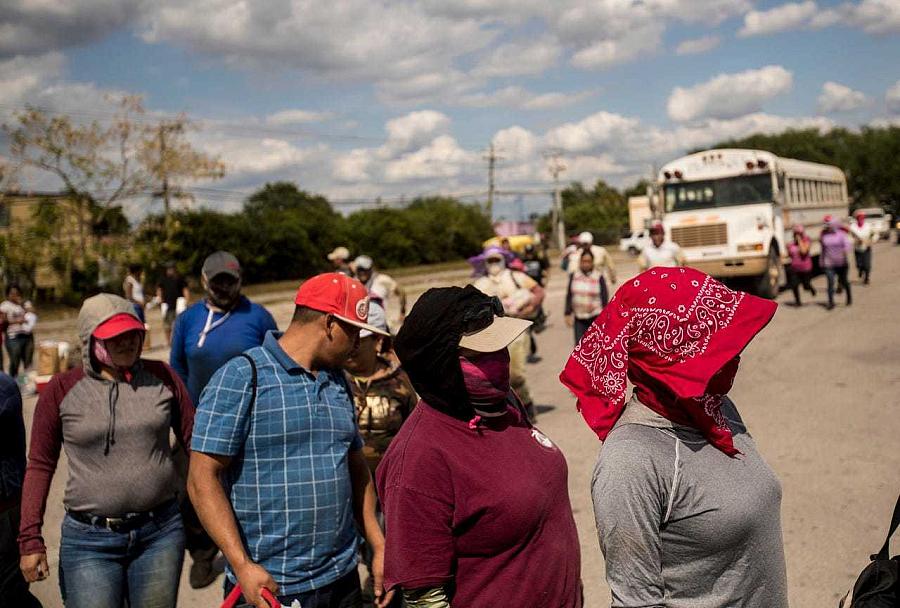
(384, 399)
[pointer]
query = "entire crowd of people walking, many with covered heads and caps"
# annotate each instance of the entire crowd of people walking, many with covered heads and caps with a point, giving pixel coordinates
(412, 448)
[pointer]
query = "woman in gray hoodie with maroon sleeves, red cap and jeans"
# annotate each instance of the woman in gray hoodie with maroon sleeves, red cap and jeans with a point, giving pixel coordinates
(122, 536)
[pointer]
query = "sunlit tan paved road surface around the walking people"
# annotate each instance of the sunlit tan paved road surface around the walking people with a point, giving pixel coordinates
(818, 391)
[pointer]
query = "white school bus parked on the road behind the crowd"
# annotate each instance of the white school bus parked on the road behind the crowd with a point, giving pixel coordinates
(732, 210)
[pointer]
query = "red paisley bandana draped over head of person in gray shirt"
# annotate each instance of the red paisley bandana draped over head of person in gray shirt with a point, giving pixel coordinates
(676, 333)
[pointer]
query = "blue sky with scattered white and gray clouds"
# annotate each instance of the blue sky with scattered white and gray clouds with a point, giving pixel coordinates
(357, 99)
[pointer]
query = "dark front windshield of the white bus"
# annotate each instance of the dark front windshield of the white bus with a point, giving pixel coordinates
(741, 190)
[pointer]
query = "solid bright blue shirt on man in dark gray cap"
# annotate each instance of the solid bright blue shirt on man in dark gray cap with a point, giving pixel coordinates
(196, 359)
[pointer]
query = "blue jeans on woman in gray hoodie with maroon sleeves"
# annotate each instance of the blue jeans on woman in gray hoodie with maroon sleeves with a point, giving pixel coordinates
(99, 568)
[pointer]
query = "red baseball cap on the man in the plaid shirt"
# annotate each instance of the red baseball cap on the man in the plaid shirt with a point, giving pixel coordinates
(337, 294)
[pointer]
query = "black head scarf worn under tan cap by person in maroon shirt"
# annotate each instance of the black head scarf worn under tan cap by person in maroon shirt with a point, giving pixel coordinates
(428, 344)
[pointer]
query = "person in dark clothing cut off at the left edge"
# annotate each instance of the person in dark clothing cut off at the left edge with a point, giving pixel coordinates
(13, 586)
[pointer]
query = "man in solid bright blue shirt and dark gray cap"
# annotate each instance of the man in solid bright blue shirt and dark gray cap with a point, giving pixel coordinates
(205, 337)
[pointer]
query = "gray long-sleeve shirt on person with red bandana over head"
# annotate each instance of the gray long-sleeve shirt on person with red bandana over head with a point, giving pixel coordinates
(683, 525)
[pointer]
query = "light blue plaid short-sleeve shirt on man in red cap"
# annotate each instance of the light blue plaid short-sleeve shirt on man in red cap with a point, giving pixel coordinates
(289, 480)
